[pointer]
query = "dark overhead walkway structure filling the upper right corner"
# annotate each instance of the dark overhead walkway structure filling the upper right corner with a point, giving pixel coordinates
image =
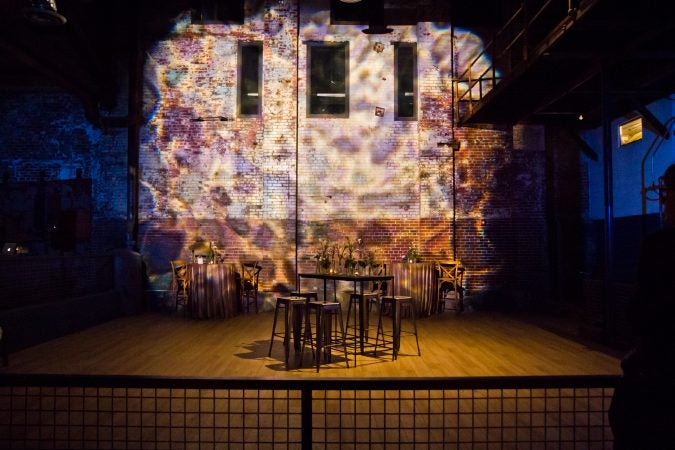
(613, 51)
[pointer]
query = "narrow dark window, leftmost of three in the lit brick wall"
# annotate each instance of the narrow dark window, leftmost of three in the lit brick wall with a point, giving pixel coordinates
(250, 68)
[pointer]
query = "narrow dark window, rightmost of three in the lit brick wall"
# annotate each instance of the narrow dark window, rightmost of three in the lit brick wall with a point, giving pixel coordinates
(405, 70)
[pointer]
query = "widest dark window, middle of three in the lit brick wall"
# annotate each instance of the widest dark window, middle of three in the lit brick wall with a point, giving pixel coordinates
(328, 93)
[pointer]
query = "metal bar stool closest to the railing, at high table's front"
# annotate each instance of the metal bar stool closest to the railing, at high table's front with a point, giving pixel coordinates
(327, 318)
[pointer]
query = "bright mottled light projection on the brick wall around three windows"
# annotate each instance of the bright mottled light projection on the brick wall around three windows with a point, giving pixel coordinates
(236, 179)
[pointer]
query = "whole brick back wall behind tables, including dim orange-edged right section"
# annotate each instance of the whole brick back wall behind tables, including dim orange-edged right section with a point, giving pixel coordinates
(388, 182)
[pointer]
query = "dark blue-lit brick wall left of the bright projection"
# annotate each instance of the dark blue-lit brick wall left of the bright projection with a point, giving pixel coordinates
(45, 132)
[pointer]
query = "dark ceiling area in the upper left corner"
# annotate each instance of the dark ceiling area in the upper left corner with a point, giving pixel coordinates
(88, 55)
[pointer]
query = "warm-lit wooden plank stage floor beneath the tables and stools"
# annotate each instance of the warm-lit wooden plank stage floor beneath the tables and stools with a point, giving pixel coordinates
(471, 344)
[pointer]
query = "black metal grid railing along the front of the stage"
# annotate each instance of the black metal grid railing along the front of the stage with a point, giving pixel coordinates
(62, 411)
